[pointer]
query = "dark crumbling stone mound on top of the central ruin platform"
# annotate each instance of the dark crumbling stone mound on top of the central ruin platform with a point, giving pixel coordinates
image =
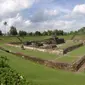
(45, 44)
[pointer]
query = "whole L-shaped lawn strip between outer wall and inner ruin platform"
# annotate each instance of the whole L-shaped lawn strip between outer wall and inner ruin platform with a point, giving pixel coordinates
(70, 57)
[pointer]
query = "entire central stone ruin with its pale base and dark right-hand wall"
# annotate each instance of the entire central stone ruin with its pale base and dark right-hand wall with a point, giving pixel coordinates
(52, 45)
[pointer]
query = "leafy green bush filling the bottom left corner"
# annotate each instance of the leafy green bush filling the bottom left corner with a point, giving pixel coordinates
(9, 76)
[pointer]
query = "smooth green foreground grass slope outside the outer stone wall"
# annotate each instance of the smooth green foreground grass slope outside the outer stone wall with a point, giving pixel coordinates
(43, 75)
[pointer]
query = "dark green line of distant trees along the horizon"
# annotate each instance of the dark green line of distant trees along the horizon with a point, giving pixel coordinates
(13, 31)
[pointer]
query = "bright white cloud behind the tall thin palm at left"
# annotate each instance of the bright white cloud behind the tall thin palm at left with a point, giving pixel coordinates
(18, 21)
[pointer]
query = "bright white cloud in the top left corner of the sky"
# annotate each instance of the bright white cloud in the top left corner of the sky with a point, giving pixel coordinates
(9, 6)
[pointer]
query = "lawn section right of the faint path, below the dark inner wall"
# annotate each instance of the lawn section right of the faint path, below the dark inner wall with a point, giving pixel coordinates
(73, 55)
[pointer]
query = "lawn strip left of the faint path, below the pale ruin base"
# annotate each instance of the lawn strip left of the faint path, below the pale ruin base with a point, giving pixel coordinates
(43, 55)
